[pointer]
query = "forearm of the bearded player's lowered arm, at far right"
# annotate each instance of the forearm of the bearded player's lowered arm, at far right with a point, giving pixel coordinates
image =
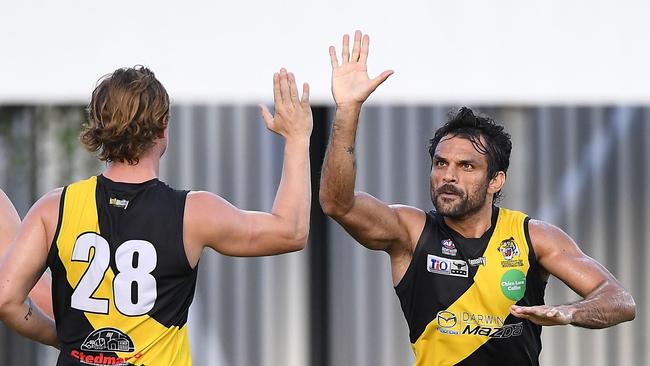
(606, 306)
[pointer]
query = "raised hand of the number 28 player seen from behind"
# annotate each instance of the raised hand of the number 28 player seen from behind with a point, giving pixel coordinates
(293, 118)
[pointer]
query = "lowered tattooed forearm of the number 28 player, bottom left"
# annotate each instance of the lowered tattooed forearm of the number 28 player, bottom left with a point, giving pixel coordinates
(29, 321)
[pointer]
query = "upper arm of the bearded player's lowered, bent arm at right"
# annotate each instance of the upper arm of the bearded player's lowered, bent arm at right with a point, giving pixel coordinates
(560, 256)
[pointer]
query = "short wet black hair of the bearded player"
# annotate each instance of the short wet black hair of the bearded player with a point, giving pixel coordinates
(466, 125)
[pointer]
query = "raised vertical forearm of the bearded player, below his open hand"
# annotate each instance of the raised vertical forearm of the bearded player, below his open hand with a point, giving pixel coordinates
(339, 168)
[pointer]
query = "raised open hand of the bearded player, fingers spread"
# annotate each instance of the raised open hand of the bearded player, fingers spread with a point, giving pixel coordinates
(351, 85)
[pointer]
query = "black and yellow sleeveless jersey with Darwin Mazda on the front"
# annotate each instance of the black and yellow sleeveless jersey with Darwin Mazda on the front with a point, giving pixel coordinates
(457, 292)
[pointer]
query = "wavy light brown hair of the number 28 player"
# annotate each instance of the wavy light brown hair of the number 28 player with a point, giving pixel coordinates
(128, 110)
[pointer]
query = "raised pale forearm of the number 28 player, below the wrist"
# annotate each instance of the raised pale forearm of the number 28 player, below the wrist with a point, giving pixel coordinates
(293, 199)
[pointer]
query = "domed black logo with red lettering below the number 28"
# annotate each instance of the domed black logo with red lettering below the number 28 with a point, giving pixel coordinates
(100, 347)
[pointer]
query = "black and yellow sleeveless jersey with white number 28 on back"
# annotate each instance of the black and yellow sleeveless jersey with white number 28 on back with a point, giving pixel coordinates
(121, 282)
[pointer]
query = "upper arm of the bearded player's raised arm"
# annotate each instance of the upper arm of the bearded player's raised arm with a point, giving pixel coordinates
(378, 226)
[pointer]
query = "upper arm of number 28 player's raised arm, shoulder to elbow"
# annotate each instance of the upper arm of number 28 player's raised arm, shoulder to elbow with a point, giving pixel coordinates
(214, 222)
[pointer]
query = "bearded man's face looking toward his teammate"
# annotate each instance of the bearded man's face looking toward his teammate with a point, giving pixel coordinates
(459, 182)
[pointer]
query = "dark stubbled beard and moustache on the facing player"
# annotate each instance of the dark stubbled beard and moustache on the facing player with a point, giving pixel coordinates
(464, 206)
